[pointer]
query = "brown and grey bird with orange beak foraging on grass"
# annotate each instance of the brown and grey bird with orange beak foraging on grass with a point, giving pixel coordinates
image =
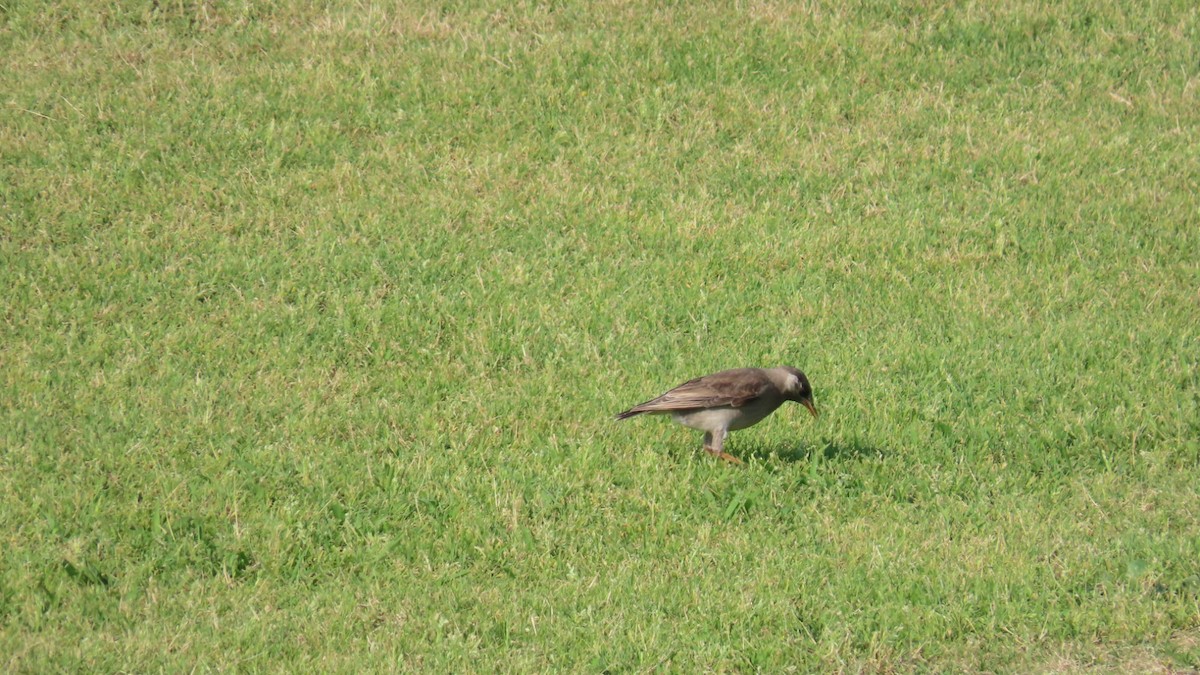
(729, 401)
